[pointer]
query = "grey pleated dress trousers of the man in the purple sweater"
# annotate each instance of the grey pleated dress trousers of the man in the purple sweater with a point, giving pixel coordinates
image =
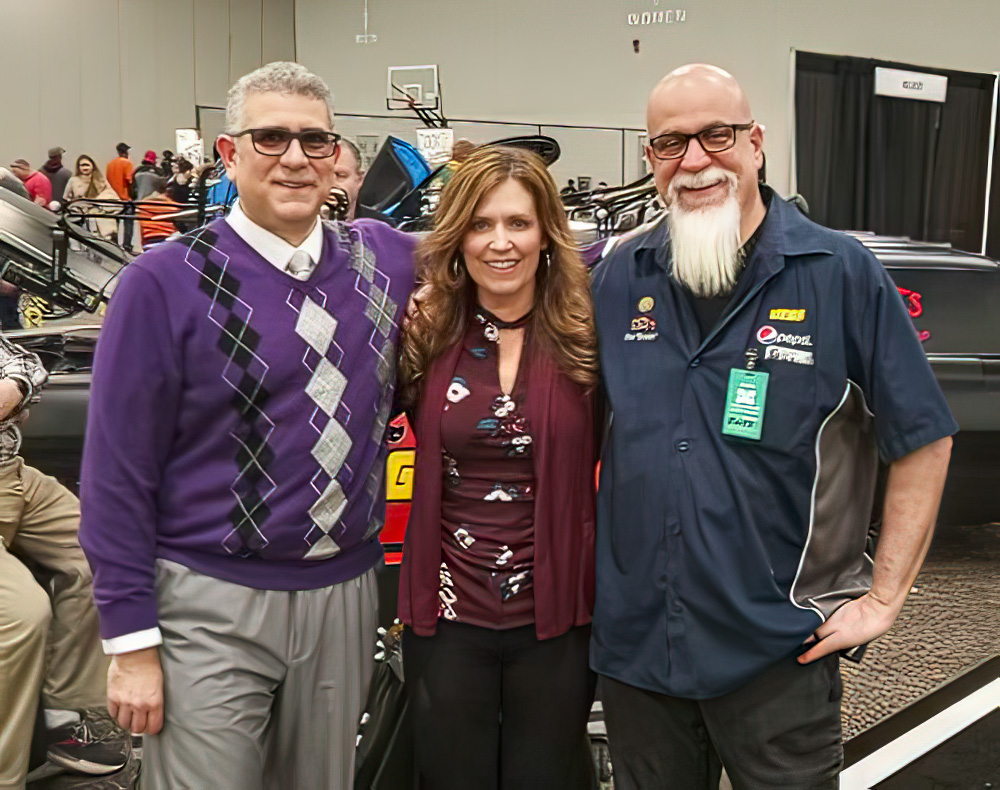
(263, 689)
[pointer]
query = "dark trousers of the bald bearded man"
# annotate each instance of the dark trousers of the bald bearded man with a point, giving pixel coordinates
(780, 730)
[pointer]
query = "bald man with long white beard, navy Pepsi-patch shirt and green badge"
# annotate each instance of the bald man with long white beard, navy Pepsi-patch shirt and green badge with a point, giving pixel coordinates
(756, 367)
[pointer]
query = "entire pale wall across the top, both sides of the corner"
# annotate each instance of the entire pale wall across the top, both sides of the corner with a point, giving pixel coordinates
(85, 74)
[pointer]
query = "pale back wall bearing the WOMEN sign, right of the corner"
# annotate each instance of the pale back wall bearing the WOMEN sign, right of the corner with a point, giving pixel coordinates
(572, 61)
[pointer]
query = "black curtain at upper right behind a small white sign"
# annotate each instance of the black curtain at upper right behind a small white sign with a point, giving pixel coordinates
(898, 167)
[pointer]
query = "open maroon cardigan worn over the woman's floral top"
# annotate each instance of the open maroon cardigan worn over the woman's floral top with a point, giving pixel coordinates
(561, 416)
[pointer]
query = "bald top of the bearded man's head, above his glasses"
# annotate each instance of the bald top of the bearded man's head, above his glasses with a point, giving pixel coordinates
(697, 88)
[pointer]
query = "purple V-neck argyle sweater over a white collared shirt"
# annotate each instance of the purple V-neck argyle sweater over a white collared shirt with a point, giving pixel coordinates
(237, 416)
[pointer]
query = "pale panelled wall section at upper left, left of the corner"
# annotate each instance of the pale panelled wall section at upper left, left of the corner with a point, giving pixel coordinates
(86, 74)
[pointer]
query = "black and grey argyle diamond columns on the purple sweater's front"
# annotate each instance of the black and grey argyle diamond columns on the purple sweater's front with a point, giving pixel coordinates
(338, 431)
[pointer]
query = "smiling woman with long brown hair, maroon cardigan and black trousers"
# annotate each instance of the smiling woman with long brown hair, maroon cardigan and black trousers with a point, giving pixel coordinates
(498, 367)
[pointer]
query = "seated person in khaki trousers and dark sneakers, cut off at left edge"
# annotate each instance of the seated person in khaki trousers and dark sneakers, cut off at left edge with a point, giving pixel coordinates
(46, 646)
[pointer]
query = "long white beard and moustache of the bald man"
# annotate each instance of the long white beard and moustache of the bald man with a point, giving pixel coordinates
(705, 242)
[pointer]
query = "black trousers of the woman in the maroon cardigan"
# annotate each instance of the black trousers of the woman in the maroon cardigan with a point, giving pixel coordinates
(500, 710)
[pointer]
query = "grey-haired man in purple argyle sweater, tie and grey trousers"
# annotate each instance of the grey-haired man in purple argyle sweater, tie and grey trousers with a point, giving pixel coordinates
(234, 460)
